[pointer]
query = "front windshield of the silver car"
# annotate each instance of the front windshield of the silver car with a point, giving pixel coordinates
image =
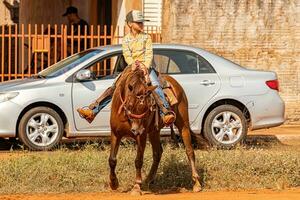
(68, 64)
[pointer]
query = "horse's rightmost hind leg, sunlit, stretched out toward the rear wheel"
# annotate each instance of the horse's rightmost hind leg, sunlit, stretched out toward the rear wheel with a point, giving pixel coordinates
(186, 136)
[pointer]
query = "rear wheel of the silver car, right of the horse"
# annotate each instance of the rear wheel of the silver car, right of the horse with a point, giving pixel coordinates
(225, 126)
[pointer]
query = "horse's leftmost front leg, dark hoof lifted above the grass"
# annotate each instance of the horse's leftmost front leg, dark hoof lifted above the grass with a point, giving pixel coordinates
(114, 143)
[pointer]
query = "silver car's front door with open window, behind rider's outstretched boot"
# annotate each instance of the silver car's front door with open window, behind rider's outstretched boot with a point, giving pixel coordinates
(86, 92)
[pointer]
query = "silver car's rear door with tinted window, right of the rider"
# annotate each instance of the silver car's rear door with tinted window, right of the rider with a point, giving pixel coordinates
(197, 77)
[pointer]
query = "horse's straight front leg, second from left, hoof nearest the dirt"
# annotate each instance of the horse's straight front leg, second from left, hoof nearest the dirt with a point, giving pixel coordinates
(141, 144)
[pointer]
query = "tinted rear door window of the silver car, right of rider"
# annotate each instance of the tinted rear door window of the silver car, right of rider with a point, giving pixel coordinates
(175, 62)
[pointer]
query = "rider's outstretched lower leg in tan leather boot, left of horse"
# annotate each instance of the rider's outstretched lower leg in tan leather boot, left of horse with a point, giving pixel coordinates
(88, 112)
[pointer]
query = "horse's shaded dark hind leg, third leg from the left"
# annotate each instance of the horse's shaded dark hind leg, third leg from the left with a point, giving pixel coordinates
(157, 151)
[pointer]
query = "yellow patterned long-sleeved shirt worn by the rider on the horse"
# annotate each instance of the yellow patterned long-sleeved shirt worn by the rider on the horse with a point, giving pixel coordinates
(138, 48)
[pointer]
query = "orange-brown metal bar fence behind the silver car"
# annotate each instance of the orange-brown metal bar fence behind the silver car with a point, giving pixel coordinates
(25, 50)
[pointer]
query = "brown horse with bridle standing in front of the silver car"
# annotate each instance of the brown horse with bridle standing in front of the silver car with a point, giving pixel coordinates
(133, 115)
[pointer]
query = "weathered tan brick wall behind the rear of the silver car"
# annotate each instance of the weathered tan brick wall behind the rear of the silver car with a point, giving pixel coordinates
(259, 34)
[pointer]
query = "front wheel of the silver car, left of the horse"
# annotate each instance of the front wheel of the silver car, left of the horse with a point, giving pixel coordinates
(41, 128)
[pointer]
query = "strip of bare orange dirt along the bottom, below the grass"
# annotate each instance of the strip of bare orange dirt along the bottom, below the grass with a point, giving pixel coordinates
(220, 195)
